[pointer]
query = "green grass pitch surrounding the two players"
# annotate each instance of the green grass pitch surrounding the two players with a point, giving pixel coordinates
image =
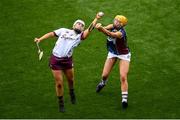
(27, 86)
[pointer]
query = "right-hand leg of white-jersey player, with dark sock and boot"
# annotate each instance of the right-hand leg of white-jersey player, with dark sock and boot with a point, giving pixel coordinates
(69, 73)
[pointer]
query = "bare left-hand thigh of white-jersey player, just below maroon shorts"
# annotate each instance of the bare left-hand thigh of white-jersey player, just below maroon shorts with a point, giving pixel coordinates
(58, 75)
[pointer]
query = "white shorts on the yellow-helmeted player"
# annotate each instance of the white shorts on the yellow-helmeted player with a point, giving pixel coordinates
(122, 57)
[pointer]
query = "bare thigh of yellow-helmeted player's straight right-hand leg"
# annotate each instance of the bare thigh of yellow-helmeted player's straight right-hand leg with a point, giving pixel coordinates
(124, 67)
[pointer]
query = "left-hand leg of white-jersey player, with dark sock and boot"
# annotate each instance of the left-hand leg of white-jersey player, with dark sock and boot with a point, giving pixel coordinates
(59, 88)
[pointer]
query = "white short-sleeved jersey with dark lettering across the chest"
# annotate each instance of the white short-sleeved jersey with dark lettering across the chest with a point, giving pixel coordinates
(67, 41)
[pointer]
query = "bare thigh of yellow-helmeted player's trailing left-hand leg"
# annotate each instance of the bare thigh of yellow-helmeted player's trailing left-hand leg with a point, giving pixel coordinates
(109, 65)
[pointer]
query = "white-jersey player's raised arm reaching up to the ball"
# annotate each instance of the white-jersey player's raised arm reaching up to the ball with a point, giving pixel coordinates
(91, 26)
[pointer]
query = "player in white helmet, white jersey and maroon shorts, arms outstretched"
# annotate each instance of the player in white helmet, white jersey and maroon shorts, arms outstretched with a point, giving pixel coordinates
(61, 59)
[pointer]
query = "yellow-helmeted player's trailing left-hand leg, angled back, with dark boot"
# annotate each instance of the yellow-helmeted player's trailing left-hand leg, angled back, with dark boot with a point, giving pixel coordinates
(106, 71)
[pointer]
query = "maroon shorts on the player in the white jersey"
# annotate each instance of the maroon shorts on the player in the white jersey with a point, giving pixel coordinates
(63, 63)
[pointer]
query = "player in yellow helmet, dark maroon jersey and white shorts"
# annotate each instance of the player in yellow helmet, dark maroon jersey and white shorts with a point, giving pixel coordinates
(117, 49)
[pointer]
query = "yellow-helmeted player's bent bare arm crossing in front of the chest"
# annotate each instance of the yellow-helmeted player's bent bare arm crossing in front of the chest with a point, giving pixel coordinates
(107, 32)
